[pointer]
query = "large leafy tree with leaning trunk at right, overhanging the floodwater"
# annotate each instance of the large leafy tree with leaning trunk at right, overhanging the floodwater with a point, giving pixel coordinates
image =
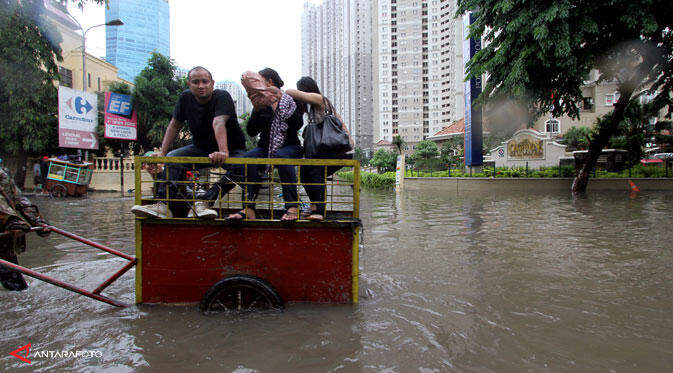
(543, 52)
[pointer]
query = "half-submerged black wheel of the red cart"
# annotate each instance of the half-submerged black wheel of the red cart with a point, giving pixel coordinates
(241, 293)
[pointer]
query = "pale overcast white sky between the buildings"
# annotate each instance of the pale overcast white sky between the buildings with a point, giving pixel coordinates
(227, 37)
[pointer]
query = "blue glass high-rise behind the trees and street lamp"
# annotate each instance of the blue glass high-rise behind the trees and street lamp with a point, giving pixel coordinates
(146, 29)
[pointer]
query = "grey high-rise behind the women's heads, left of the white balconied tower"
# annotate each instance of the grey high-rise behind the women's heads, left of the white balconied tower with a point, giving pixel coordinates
(336, 52)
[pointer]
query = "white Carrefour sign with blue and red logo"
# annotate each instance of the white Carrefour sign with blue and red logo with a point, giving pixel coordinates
(77, 119)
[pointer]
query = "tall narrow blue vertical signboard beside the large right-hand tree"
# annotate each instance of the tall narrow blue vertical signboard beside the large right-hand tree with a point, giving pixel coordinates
(473, 118)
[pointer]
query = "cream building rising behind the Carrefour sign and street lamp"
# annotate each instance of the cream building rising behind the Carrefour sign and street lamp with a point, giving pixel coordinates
(100, 73)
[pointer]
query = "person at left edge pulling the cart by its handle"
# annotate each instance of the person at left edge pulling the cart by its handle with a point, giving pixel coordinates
(17, 215)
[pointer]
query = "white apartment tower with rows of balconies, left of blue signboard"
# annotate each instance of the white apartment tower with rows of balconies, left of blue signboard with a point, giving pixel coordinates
(418, 71)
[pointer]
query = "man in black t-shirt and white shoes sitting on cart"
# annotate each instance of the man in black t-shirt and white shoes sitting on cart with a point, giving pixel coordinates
(211, 117)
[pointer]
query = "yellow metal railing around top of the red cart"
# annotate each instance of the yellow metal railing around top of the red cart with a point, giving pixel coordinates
(340, 198)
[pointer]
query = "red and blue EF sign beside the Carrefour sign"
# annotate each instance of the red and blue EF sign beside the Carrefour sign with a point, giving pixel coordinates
(120, 118)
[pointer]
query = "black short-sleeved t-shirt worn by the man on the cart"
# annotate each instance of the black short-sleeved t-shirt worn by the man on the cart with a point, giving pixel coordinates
(199, 118)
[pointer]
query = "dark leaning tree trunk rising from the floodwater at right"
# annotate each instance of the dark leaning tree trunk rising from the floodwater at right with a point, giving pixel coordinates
(605, 131)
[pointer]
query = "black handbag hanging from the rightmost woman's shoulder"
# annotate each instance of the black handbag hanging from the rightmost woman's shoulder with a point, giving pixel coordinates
(327, 137)
